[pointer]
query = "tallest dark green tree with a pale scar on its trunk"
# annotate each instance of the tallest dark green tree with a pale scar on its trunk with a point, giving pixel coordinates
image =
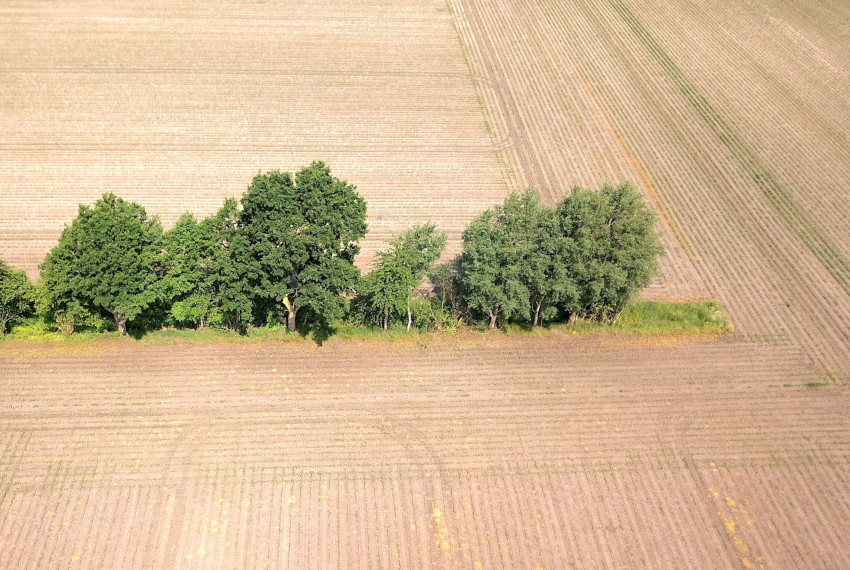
(300, 238)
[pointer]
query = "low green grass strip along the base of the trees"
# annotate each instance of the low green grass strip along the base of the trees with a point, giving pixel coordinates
(641, 318)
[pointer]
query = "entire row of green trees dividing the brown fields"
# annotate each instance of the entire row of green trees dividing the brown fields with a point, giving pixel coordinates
(285, 253)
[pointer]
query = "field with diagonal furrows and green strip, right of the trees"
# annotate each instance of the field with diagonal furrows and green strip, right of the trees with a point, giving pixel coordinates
(744, 155)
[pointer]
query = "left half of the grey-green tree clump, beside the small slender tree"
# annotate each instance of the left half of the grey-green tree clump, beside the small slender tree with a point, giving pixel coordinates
(496, 247)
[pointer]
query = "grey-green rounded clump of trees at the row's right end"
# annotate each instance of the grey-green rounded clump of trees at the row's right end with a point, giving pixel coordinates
(587, 257)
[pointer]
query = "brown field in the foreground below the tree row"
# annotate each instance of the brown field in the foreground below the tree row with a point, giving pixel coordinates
(710, 454)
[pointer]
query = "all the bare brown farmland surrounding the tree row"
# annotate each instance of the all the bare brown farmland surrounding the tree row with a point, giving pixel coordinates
(492, 452)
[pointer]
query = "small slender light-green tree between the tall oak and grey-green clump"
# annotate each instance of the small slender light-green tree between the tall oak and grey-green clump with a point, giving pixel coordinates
(386, 291)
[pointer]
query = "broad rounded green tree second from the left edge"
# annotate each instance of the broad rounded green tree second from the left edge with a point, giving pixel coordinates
(107, 259)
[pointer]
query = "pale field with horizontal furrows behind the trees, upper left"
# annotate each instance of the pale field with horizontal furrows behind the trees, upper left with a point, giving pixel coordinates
(177, 107)
